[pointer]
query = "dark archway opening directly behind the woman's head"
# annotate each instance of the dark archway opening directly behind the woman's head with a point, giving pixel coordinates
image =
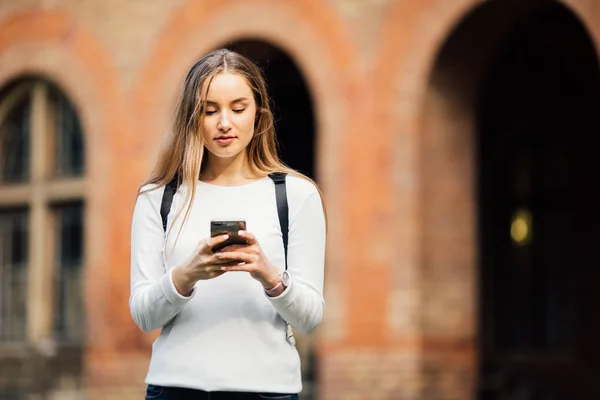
(291, 102)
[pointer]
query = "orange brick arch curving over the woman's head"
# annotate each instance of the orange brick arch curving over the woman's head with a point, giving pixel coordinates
(318, 45)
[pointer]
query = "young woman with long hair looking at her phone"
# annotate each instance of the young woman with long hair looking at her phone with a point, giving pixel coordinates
(224, 315)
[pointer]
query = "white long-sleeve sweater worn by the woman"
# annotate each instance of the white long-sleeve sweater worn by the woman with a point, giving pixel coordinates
(228, 335)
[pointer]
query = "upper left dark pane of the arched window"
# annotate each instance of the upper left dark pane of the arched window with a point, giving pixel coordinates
(15, 134)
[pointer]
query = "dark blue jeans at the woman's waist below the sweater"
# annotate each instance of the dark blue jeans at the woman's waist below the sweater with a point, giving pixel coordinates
(171, 393)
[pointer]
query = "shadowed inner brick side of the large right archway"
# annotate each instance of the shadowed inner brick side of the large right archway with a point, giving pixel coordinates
(447, 164)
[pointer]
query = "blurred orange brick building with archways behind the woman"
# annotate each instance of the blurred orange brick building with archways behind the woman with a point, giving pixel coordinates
(456, 142)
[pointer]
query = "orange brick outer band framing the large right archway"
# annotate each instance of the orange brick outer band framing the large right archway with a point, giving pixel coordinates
(408, 45)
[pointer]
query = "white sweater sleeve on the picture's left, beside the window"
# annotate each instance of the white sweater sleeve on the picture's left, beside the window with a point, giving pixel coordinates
(153, 301)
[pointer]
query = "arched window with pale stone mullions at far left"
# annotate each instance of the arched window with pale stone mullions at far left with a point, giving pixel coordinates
(42, 168)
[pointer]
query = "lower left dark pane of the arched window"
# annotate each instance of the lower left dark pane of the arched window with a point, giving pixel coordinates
(13, 275)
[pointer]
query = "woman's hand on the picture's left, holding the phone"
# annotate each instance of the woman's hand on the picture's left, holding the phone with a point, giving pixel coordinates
(202, 265)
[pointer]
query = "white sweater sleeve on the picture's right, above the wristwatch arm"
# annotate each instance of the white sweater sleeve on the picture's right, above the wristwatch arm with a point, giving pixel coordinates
(302, 303)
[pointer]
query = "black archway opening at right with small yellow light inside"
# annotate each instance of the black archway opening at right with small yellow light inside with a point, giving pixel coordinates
(538, 144)
